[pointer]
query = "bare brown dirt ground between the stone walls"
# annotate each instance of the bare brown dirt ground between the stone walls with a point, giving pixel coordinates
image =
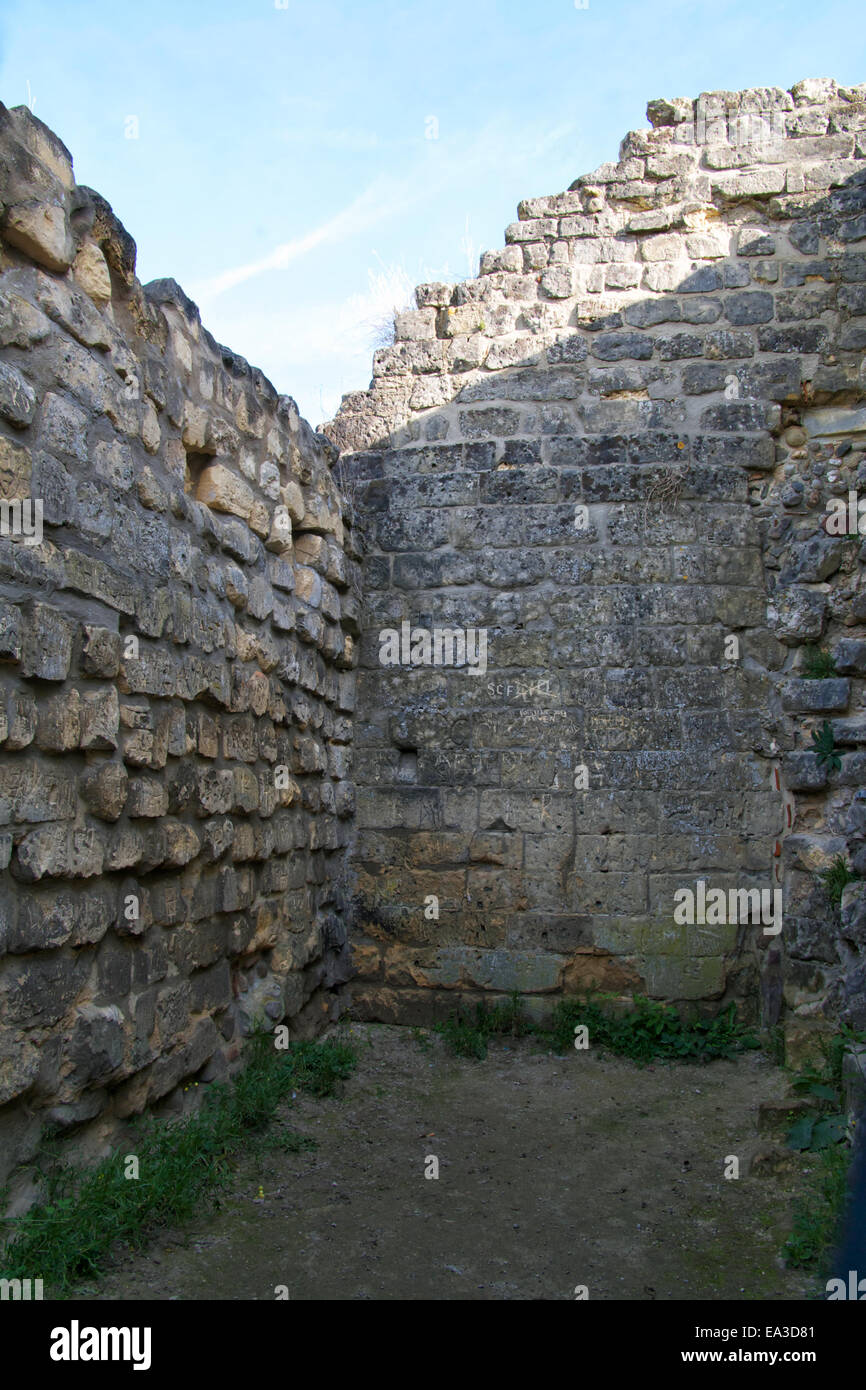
(555, 1172)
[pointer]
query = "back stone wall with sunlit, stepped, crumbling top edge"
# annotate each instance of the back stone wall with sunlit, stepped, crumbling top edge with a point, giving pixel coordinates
(614, 451)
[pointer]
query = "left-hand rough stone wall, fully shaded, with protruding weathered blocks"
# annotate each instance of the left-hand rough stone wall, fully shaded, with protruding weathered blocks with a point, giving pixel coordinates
(176, 680)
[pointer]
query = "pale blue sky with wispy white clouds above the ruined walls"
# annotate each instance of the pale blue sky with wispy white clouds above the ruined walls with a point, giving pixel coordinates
(300, 167)
